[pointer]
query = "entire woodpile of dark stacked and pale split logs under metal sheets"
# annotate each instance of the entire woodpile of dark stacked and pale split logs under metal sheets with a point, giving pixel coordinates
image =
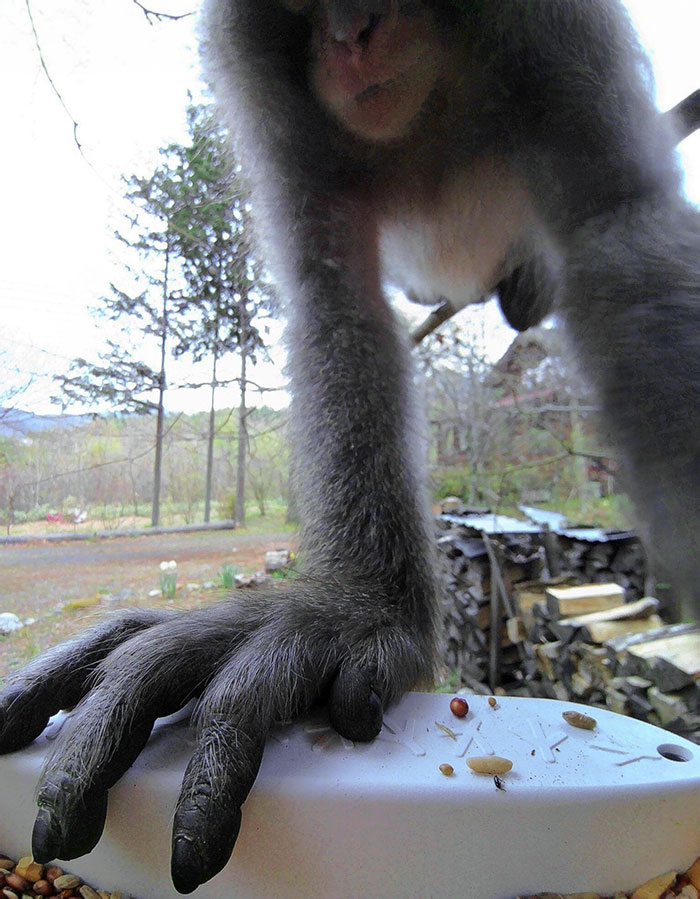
(600, 642)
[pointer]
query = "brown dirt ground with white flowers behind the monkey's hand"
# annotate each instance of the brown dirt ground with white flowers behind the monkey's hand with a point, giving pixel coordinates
(64, 585)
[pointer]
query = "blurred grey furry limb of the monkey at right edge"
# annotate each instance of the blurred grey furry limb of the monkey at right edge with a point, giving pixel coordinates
(632, 306)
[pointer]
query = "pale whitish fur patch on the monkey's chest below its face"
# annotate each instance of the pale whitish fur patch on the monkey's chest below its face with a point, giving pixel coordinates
(457, 243)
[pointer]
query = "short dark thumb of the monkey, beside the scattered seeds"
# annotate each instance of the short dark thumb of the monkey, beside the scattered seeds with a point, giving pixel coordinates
(354, 709)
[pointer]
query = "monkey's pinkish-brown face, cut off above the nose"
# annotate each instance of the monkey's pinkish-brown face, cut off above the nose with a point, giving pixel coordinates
(374, 63)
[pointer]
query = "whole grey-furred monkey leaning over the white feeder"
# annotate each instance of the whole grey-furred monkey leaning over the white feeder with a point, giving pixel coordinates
(448, 147)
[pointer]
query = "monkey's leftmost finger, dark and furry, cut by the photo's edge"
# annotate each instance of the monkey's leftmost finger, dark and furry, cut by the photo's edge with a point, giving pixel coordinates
(59, 678)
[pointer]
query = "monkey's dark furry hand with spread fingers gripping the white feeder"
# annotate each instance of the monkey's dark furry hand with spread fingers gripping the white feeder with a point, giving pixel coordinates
(250, 663)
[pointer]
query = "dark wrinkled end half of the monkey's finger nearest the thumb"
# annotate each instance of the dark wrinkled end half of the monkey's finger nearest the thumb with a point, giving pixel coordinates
(208, 817)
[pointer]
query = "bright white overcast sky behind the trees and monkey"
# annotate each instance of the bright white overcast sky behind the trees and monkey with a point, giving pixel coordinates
(125, 83)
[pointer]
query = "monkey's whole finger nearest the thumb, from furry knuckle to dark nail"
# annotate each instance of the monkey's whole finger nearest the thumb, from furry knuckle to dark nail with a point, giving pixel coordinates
(273, 676)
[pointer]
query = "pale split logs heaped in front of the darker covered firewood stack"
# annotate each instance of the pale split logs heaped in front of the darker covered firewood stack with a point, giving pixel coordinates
(590, 646)
